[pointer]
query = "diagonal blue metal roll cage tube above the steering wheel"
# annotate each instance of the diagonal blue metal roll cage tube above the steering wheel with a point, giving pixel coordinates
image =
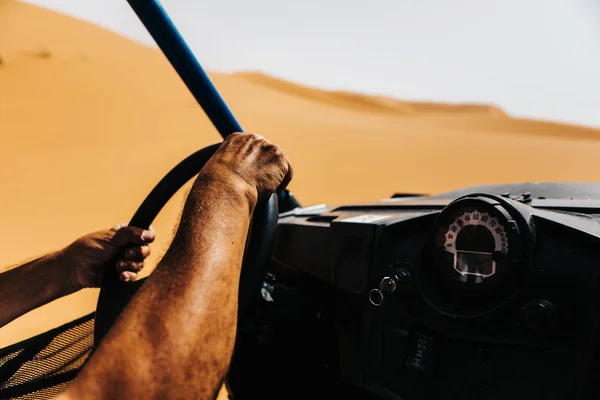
(162, 29)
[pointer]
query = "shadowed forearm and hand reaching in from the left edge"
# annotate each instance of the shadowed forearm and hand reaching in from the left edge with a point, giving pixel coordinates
(81, 264)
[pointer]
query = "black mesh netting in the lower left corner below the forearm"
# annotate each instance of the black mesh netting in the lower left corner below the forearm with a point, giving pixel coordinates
(43, 366)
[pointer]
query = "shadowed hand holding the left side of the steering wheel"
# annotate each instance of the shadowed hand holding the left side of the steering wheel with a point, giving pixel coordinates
(89, 255)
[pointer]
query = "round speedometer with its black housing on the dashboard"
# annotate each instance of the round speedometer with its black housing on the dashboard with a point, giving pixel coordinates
(475, 259)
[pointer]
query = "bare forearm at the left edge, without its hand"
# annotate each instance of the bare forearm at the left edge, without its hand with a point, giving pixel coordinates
(32, 284)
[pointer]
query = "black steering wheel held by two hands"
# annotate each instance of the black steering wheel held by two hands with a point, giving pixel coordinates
(115, 294)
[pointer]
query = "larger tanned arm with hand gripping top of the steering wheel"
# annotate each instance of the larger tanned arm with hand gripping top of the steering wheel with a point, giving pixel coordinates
(176, 336)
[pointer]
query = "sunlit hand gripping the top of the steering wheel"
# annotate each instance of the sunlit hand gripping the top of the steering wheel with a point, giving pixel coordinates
(249, 162)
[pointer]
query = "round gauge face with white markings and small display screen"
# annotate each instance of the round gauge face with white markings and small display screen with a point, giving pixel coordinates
(477, 242)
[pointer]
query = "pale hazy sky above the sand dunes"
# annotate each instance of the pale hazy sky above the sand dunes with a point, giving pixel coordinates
(534, 58)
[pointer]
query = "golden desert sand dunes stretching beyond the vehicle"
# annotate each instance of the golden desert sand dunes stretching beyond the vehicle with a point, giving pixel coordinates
(90, 121)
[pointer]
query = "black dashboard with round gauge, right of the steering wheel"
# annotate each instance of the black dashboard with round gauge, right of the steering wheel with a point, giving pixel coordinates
(487, 292)
